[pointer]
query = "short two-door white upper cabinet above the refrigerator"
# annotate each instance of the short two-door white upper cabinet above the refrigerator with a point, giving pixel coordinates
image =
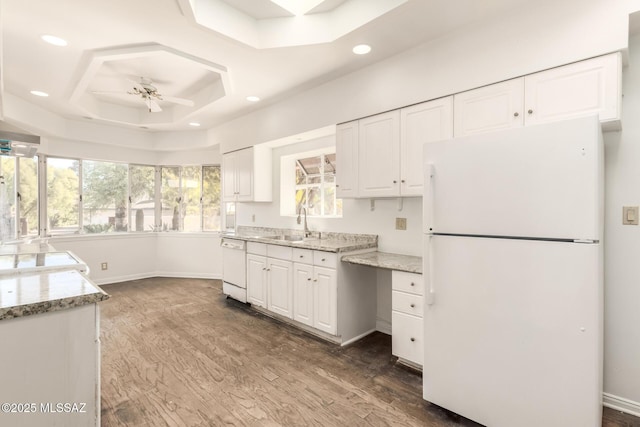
(582, 88)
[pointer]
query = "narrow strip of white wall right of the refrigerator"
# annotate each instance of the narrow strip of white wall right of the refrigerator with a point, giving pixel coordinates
(622, 245)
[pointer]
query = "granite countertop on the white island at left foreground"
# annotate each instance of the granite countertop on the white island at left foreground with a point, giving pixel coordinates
(41, 292)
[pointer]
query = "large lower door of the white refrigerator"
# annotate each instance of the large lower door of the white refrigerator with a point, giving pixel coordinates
(514, 336)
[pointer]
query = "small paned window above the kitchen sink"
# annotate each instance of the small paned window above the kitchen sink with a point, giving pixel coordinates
(315, 185)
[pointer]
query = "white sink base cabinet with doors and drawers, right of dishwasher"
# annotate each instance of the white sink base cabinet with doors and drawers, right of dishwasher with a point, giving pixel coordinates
(313, 288)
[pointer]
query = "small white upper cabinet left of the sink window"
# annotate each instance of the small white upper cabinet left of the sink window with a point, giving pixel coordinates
(246, 175)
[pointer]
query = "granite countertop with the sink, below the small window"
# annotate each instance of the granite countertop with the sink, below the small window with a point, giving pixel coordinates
(319, 241)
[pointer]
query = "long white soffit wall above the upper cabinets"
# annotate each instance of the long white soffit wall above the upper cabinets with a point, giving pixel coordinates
(542, 35)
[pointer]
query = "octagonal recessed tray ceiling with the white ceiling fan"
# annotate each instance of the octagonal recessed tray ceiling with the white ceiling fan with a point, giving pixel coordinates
(113, 83)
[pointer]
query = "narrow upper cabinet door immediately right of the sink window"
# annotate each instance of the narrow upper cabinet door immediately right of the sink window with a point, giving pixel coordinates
(347, 160)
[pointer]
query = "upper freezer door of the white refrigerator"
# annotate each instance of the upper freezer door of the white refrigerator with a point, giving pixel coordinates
(541, 181)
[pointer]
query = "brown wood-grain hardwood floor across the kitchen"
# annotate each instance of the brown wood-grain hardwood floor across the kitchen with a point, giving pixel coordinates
(176, 352)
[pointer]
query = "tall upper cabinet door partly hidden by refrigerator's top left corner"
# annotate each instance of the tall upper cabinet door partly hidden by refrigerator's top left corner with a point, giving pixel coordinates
(419, 124)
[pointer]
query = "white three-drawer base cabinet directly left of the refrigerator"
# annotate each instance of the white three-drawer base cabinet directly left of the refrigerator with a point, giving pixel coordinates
(407, 303)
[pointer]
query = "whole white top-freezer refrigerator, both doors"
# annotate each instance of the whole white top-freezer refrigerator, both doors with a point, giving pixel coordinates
(513, 275)
